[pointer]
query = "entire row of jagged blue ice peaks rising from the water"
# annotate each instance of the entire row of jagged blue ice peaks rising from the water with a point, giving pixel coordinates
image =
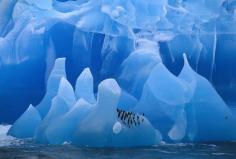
(172, 109)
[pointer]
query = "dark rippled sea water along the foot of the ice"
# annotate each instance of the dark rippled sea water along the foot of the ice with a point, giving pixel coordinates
(12, 148)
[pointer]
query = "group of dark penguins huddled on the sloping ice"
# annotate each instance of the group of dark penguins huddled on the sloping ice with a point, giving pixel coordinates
(130, 118)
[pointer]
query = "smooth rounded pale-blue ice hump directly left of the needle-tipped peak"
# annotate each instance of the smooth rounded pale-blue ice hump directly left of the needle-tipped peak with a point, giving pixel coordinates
(163, 99)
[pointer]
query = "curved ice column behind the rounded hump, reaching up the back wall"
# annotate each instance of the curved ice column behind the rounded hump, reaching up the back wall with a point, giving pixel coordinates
(144, 58)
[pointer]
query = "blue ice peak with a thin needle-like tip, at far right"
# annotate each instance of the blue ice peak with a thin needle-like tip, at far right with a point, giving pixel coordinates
(201, 126)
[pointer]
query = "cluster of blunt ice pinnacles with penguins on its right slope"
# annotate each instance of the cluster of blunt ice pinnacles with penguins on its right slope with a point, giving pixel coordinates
(86, 121)
